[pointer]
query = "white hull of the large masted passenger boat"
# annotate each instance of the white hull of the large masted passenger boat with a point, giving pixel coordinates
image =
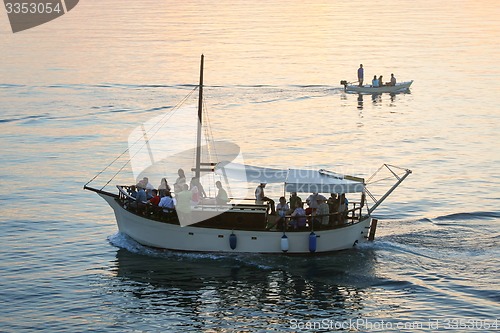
(197, 239)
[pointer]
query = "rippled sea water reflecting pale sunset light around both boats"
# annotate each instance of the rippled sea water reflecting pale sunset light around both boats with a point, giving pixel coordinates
(74, 89)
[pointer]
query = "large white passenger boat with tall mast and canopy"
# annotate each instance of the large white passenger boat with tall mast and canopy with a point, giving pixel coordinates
(242, 225)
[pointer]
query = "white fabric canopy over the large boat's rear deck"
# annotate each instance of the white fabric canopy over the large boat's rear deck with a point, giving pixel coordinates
(295, 180)
